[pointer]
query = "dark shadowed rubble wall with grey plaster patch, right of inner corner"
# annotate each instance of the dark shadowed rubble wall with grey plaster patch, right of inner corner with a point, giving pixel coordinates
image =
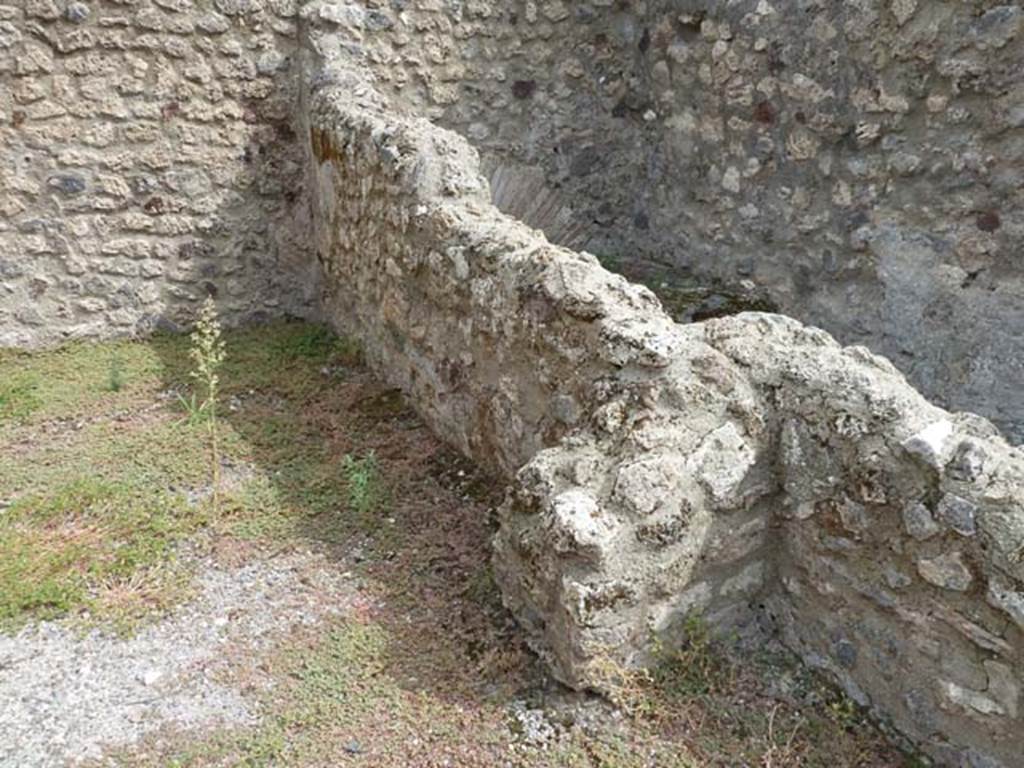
(862, 160)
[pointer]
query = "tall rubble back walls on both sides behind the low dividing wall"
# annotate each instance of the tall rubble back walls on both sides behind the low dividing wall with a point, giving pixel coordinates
(860, 161)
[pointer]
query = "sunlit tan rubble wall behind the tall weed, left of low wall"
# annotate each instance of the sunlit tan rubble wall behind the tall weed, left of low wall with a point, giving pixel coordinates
(149, 159)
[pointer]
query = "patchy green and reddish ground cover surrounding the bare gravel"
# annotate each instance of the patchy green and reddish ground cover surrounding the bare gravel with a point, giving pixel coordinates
(103, 480)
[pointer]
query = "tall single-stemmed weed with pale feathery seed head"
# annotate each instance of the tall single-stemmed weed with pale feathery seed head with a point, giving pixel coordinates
(207, 353)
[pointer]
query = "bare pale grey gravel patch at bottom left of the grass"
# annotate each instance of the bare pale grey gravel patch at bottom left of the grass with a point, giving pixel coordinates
(70, 697)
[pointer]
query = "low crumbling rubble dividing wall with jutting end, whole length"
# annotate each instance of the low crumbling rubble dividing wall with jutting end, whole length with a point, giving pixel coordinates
(749, 470)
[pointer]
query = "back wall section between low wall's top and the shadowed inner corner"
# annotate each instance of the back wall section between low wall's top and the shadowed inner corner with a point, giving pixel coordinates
(542, 89)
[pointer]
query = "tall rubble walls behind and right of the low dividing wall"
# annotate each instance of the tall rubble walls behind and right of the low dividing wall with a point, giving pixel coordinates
(862, 161)
